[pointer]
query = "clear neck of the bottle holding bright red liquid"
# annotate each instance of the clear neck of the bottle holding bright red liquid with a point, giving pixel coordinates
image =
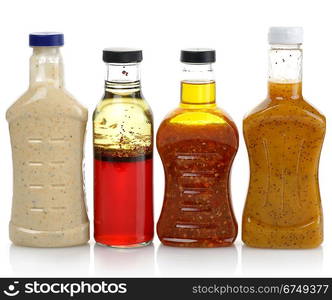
(123, 79)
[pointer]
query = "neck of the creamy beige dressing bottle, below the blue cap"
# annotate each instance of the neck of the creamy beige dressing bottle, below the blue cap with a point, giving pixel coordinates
(46, 67)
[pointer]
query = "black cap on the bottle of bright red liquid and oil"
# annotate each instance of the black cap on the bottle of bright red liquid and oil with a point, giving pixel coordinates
(122, 55)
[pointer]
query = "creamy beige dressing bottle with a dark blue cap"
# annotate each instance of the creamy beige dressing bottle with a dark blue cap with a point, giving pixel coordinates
(47, 129)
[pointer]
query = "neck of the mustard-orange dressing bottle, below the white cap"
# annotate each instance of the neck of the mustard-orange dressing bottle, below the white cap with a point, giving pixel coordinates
(285, 72)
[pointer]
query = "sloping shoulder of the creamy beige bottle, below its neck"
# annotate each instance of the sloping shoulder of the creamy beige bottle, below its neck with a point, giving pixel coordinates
(47, 100)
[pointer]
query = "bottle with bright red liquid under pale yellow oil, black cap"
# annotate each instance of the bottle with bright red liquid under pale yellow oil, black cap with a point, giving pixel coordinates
(123, 148)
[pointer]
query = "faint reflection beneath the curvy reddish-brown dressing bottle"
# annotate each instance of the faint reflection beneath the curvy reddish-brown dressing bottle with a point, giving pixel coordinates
(196, 262)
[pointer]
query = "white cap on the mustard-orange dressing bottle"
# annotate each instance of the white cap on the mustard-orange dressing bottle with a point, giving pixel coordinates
(286, 35)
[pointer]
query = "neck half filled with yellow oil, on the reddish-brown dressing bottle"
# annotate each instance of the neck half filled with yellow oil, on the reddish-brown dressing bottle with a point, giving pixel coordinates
(198, 88)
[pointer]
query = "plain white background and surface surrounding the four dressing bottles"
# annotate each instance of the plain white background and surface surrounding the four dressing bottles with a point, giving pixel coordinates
(238, 31)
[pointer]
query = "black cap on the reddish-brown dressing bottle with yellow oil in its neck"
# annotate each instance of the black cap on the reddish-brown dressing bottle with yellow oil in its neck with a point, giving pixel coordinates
(198, 55)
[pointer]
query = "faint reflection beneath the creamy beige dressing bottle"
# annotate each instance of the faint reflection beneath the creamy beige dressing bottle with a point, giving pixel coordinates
(50, 262)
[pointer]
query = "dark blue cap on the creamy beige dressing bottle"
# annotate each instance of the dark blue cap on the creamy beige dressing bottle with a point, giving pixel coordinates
(46, 39)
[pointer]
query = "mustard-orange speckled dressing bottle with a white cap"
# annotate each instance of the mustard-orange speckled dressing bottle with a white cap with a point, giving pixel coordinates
(284, 137)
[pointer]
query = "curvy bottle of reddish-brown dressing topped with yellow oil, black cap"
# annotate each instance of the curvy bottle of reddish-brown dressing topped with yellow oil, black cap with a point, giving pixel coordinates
(197, 143)
